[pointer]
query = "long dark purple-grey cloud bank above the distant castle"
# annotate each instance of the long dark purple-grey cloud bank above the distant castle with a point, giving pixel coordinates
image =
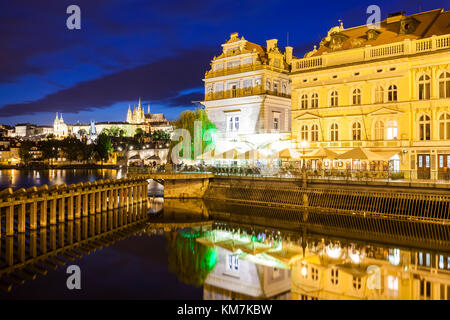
(157, 81)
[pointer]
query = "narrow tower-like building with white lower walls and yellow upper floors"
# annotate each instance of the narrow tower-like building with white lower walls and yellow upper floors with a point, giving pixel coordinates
(247, 91)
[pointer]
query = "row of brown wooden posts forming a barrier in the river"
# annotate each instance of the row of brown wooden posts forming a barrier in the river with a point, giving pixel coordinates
(51, 205)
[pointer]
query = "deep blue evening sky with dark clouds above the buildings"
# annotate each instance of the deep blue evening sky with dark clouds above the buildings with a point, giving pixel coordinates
(158, 50)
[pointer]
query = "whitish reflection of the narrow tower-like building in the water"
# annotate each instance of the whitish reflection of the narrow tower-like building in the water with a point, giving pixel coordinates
(247, 268)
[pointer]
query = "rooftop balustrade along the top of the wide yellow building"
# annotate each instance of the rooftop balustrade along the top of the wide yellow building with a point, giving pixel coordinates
(406, 47)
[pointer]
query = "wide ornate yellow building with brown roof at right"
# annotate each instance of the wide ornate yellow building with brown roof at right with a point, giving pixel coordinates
(384, 89)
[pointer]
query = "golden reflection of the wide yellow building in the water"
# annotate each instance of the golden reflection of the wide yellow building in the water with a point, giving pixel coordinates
(343, 272)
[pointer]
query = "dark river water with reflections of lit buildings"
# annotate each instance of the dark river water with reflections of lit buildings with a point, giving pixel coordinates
(194, 249)
